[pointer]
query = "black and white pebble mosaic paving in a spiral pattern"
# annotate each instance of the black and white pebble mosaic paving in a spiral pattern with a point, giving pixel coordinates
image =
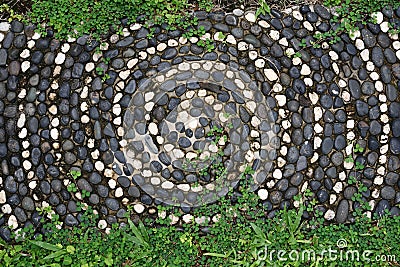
(140, 134)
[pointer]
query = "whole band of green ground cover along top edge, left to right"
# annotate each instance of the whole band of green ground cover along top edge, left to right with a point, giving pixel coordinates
(98, 18)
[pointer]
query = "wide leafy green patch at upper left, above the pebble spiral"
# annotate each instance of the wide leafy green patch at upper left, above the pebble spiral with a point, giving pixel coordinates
(76, 17)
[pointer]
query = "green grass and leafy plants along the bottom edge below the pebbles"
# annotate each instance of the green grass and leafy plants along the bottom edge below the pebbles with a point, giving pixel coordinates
(239, 235)
